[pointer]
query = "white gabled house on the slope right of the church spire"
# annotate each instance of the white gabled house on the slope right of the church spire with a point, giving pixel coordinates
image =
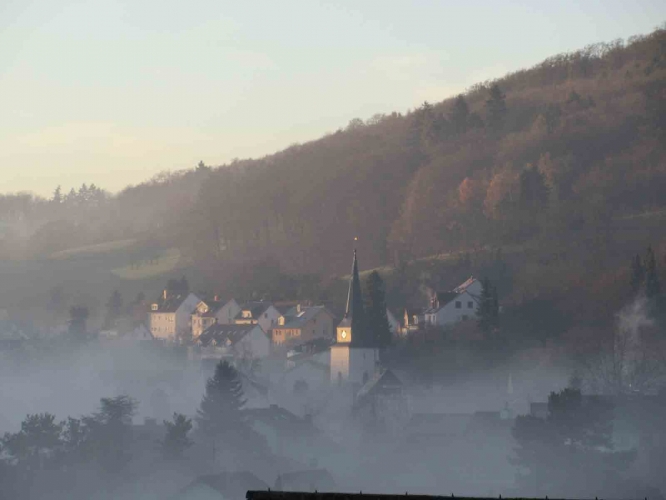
(459, 304)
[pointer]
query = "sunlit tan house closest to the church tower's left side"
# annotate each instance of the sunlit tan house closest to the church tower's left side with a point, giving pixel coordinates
(302, 323)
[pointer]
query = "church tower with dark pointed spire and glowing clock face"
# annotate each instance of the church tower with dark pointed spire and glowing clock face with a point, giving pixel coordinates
(355, 356)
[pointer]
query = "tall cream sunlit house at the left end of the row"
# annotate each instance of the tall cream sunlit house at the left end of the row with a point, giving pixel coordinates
(172, 317)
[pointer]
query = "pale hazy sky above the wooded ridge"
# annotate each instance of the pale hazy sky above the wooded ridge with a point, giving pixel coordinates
(113, 92)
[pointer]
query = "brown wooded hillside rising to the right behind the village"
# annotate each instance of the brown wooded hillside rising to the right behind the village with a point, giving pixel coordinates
(562, 165)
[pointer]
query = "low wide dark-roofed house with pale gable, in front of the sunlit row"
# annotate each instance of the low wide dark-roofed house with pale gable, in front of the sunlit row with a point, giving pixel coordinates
(238, 342)
